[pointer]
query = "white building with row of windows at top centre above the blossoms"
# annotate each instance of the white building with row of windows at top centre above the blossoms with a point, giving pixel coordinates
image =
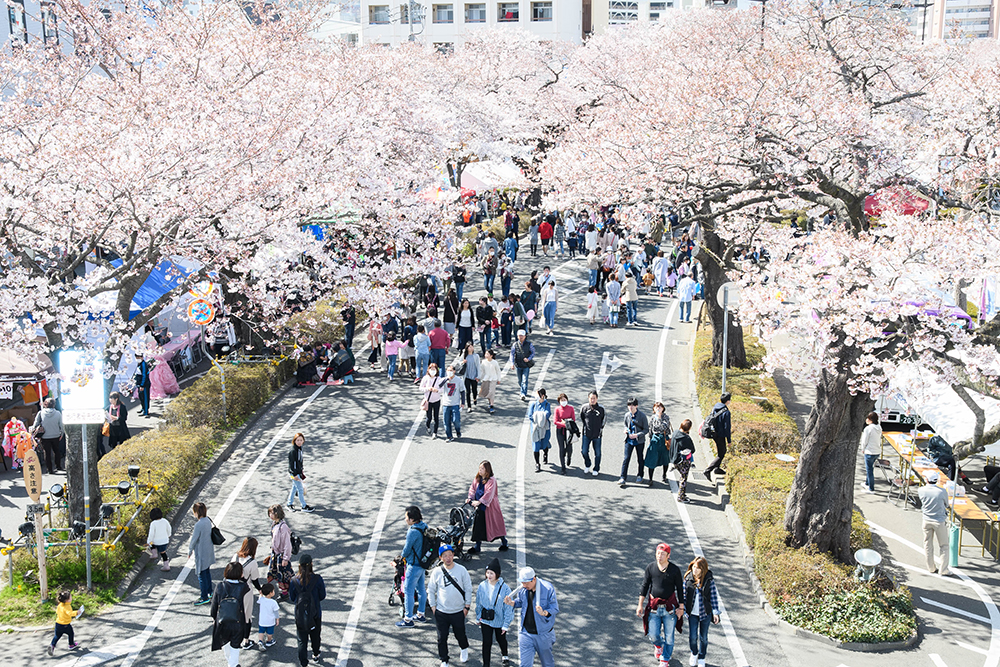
(443, 24)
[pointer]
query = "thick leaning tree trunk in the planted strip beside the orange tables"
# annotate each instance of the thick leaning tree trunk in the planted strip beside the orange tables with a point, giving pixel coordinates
(819, 507)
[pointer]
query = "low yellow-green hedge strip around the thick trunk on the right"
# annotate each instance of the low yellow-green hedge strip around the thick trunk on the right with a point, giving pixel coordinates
(805, 588)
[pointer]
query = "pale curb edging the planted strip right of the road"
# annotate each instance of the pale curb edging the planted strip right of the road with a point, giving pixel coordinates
(748, 563)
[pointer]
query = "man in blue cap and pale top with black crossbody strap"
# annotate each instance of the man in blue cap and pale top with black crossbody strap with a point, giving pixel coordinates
(449, 594)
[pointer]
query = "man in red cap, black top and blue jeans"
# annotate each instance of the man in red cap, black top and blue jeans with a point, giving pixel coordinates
(661, 603)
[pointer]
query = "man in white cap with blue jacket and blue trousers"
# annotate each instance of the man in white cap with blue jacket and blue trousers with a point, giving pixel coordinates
(537, 598)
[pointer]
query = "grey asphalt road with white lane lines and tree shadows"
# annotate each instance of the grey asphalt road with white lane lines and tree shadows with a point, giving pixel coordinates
(366, 460)
